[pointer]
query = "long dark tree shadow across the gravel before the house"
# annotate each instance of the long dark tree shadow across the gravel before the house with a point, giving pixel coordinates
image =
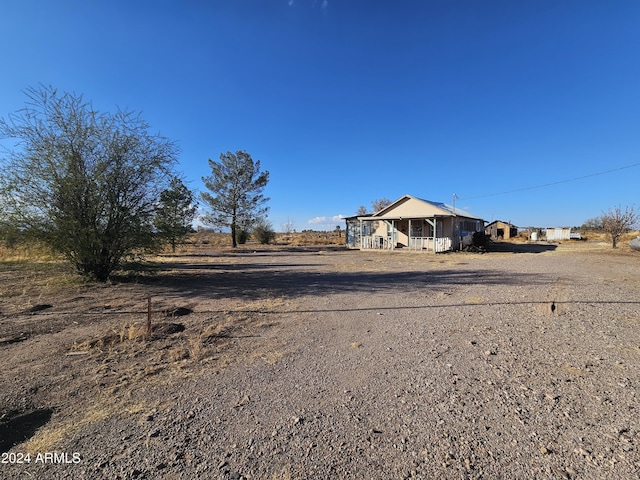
(262, 280)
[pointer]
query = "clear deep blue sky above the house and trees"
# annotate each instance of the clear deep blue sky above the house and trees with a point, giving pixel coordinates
(346, 101)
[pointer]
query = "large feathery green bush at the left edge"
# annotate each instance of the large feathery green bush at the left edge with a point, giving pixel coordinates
(85, 183)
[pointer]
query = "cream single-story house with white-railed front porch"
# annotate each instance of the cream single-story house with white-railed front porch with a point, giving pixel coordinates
(413, 223)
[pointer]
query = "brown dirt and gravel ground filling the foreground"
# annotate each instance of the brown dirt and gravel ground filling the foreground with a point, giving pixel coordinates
(326, 363)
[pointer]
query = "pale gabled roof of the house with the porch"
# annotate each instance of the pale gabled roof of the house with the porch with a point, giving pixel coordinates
(409, 206)
